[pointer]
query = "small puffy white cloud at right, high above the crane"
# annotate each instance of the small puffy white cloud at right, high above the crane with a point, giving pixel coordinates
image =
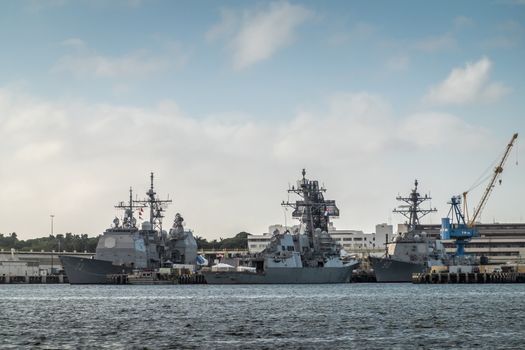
(467, 85)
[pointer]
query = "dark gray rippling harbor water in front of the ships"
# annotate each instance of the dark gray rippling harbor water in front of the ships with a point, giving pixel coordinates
(370, 316)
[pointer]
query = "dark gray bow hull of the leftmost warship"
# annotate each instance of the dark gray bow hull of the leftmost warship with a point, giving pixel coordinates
(89, 271)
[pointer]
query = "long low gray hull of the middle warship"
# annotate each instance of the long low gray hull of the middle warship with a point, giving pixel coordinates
(283, 275)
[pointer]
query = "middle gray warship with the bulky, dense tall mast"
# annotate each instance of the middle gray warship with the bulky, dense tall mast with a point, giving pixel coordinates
(310, 257)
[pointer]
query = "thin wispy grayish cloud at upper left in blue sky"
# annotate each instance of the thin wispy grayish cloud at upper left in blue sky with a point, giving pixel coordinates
(85, 62)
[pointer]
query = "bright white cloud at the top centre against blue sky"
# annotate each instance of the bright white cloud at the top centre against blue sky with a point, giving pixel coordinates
(257, 34)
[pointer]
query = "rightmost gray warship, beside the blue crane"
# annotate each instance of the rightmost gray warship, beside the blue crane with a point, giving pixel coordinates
(411, 251)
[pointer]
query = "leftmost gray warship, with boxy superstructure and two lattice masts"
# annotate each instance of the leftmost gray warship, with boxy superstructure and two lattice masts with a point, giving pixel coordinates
(124, 247)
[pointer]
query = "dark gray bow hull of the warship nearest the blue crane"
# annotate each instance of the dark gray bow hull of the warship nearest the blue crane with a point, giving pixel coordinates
(391, 270)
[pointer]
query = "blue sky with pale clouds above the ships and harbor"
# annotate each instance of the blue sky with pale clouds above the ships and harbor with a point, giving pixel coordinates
(226, 102)
